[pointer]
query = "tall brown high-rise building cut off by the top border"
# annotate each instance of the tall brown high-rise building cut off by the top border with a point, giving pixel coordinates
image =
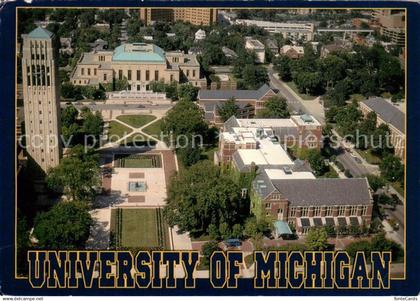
(195, 16)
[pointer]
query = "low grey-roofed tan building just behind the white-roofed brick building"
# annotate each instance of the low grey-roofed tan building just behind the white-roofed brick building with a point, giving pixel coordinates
(249, 101)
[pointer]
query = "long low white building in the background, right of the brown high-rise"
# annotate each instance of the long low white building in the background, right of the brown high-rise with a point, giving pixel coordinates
(292, 31)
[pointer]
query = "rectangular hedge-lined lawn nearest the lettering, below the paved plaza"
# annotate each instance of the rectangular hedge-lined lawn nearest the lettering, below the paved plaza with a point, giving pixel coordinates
(139, 228)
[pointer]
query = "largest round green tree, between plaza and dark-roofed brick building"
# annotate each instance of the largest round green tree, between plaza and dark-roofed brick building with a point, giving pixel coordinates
(203, 195)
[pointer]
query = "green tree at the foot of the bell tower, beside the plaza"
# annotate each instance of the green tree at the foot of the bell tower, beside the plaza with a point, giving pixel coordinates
(77, 175)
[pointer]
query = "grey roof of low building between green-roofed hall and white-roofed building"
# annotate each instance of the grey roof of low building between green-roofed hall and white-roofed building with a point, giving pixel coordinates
(237, 94)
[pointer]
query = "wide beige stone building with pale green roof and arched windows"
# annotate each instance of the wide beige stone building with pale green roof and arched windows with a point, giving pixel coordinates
(140, 64)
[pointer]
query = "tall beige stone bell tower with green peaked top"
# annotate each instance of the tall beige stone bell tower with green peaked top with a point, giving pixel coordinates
(41, 97)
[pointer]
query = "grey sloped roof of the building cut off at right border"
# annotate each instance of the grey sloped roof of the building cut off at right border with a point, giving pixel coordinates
(387, 112)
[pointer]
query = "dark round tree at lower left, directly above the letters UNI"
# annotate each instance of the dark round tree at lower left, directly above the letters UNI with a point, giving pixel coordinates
(66, 226)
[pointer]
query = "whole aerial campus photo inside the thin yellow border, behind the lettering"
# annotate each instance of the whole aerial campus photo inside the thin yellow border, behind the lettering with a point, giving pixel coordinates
(211, 129)
